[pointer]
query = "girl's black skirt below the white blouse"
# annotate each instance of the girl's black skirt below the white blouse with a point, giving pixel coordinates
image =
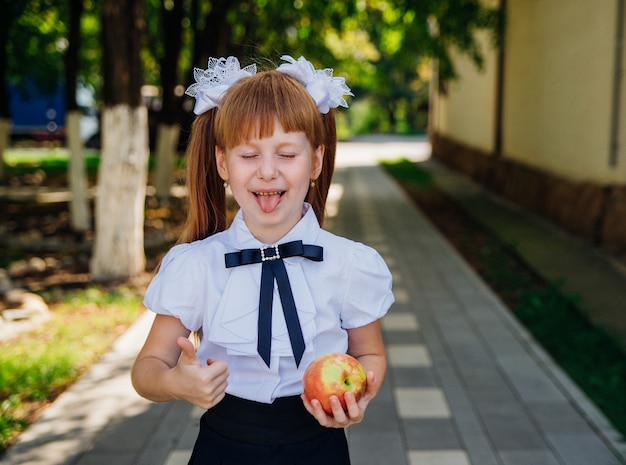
(243, 432)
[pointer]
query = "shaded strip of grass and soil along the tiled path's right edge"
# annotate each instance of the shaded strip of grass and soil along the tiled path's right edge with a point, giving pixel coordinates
(594, 360)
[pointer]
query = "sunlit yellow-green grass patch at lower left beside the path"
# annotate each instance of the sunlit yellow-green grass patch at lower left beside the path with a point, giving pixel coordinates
(38, 366)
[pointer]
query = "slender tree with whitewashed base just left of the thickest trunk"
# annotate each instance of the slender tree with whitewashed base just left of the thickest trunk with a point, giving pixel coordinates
(77, 176)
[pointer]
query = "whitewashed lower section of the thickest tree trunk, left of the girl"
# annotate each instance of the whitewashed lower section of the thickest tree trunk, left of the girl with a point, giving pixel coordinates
(118, 250)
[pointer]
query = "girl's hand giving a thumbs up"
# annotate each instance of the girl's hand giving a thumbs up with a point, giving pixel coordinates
(203, 386)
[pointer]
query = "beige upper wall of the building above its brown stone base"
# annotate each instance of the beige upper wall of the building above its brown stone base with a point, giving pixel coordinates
(558, 91)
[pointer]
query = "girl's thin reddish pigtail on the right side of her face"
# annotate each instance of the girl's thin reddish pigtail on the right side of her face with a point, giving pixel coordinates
(318, 194)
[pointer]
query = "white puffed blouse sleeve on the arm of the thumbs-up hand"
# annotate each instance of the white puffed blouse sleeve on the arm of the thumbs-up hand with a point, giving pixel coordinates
(177, 288)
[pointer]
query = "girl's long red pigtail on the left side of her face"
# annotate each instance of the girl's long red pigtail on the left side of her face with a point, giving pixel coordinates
(207, 198)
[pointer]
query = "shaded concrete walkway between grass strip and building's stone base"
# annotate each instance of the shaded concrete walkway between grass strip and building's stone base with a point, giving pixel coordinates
(584, 272)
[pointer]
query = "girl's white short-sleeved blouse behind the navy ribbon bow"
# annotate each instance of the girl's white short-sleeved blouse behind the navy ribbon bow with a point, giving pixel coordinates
(350, 288)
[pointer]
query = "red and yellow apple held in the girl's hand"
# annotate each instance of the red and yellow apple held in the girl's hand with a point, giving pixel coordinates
(334, 374)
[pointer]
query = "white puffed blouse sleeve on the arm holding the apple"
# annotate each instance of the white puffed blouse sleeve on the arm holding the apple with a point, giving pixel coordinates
(368, 294)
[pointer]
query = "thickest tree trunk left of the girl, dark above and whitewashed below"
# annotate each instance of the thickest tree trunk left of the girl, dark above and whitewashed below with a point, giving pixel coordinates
(118, 249)
